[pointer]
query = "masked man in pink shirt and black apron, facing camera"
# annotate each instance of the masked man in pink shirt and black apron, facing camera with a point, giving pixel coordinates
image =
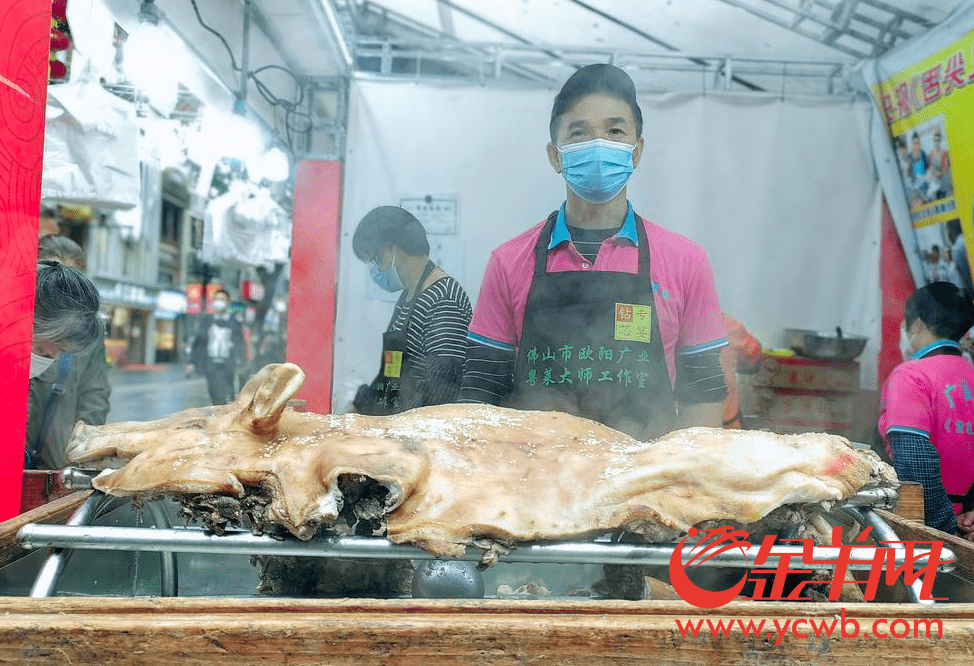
(595, 311)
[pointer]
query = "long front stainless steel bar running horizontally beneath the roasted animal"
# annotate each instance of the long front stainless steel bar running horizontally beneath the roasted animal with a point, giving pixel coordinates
(196, 540)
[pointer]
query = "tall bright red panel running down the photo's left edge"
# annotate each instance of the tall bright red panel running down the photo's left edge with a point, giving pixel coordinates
(25, 27)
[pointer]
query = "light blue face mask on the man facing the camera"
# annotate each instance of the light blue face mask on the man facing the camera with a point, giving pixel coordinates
(596, 170)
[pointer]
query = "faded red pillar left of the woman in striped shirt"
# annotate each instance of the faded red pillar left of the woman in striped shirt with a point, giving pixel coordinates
(315, 229)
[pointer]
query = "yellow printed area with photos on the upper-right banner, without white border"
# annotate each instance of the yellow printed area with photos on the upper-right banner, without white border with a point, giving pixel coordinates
(929, 107)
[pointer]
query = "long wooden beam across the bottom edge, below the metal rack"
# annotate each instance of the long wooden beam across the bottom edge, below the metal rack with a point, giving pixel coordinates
(430, 633)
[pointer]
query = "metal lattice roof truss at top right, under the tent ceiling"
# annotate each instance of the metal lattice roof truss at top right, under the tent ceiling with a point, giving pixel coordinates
(870, 33)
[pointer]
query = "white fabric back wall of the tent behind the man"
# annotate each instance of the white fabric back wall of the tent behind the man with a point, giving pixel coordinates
(782, 193)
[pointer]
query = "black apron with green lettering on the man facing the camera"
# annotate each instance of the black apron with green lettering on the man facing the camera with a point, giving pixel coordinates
(591, 346)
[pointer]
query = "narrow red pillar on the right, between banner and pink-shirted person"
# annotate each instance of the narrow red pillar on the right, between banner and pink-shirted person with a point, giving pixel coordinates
(896, 285)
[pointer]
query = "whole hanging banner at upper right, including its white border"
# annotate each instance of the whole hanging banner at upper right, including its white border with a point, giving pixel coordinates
(925, 93)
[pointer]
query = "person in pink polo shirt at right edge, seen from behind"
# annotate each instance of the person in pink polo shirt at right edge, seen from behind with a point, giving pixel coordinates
(927, 408)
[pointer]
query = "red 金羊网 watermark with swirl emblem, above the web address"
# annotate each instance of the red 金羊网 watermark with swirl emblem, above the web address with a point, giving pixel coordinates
(917, 559)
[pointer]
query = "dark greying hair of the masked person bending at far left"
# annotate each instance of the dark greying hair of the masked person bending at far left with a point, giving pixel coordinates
(65, 307)
